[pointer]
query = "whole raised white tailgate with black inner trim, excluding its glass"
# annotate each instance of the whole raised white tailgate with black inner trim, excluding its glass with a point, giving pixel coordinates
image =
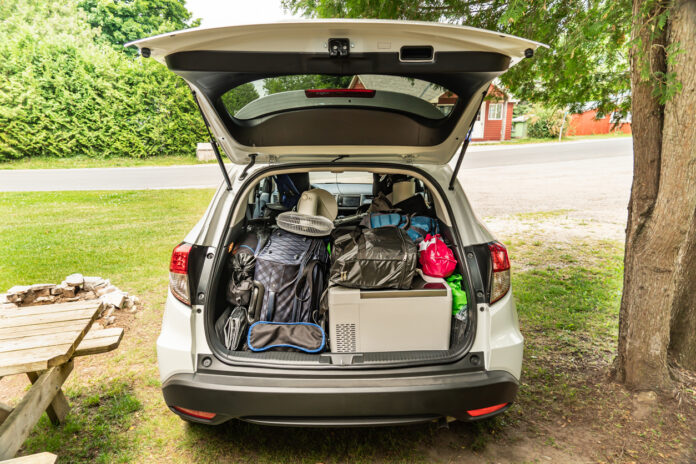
(214, 60)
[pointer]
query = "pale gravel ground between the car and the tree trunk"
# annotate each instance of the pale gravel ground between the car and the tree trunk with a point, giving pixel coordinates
(593, 193)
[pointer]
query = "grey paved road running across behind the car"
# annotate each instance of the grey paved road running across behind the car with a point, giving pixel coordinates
(208, 176)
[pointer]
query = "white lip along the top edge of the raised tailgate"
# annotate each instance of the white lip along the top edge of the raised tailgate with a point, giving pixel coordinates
(310, 36)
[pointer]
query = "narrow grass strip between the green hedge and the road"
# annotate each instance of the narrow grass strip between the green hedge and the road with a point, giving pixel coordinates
(89, 162)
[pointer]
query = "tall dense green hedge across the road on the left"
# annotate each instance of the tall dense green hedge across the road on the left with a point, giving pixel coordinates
(62, 94)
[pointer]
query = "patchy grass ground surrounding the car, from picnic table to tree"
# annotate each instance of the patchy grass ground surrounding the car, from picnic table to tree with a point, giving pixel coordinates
(567, 411)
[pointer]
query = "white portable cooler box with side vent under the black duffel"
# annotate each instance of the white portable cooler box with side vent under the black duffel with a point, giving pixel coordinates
(391, 320)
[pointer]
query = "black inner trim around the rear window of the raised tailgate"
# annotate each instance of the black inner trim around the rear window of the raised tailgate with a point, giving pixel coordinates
(215, 72)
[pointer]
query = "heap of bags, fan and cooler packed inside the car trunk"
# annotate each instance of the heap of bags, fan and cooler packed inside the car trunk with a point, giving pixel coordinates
(301, 280)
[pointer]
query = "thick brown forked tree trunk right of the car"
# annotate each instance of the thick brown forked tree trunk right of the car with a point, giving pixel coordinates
(661, 231)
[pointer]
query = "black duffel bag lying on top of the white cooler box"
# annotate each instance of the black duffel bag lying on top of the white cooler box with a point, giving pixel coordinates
(374, 259)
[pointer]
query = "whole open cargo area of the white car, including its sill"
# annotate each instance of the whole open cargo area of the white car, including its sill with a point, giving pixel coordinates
(364, 318)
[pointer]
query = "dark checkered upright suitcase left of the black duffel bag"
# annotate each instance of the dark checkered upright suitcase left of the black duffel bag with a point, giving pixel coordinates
(292, 269)
